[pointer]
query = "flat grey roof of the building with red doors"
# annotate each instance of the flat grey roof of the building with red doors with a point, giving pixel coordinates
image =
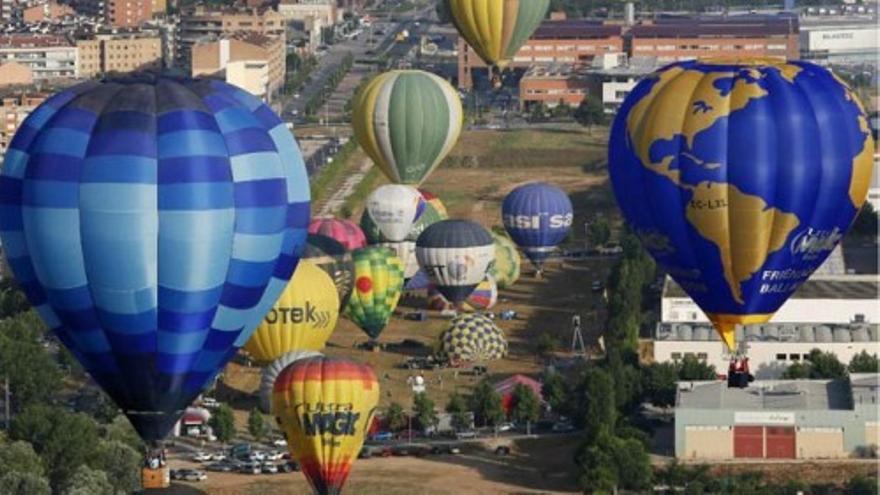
(767, 395)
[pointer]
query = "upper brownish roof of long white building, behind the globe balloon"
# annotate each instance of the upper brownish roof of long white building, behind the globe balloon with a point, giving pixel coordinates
(823, 287)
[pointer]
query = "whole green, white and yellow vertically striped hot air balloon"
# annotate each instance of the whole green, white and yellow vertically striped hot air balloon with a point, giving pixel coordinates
(407, 121)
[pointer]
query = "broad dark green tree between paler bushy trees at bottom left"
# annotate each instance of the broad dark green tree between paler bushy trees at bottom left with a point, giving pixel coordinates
(63, 440)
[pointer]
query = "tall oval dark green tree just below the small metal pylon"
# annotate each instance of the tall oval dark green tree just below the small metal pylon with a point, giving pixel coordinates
(594, 402)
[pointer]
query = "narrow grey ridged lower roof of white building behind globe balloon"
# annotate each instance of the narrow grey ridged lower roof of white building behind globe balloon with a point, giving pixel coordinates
(782, 332)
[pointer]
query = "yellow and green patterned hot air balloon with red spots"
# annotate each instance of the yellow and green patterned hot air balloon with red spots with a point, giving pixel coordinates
(378, 282)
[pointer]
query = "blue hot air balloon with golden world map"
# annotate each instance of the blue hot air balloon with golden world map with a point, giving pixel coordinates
(740, 177)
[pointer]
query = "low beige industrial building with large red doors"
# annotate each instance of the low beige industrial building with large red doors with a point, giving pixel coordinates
(793, 419)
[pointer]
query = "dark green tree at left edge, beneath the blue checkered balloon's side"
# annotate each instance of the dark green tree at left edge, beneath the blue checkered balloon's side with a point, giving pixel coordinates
(33, 374)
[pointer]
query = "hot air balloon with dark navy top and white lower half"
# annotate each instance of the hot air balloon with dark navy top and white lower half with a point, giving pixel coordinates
(456, 255)
